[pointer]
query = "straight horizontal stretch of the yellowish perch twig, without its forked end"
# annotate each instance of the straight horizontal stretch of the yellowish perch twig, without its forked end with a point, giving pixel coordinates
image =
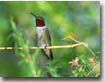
(49, 47)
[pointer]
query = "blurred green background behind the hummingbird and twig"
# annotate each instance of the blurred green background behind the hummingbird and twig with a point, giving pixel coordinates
(63, 18)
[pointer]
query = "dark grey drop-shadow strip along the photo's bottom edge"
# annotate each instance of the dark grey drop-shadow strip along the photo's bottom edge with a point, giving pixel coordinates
(50, 79)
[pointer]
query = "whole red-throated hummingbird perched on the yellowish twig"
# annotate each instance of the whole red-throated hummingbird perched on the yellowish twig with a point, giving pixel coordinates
(43, 36)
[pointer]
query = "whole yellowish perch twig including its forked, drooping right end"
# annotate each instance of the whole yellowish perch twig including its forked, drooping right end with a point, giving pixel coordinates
(50, 47)
